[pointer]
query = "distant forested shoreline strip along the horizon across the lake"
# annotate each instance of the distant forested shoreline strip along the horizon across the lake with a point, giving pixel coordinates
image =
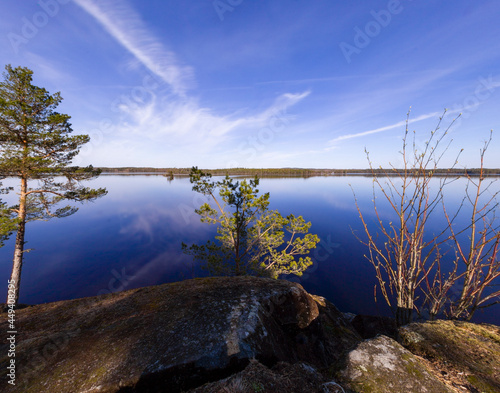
(302, 172)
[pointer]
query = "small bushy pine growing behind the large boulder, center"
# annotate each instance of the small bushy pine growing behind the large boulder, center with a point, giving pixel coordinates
(251, 238)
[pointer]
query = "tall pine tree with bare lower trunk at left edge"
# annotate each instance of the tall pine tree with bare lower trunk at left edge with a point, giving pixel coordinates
(36, 146)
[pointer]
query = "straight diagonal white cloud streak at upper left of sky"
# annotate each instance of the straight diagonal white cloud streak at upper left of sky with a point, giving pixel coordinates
(123, 24)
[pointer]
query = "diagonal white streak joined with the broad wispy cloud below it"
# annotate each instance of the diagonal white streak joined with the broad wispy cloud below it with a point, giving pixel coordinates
(175, 122)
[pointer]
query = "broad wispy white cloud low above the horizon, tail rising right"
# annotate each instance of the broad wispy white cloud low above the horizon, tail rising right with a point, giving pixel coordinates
(165, 132)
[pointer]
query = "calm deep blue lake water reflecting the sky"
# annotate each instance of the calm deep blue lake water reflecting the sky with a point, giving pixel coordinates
(132, 238)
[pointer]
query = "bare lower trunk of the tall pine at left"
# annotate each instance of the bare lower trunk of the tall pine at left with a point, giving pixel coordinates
(15, 277)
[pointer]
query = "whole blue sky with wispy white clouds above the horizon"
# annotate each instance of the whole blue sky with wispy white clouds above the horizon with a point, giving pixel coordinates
(241, 83)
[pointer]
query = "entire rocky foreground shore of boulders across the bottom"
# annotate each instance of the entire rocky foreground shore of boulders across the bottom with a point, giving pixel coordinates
(240, 335)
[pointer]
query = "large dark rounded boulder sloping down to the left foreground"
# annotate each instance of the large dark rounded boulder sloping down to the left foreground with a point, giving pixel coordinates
(173, 337)
